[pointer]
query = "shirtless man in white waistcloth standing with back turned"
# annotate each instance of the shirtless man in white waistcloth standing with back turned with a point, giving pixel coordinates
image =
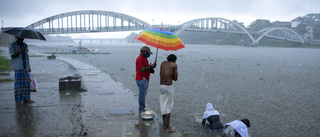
(168, 72)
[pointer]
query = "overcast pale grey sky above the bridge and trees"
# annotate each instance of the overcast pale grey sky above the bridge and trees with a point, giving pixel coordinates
(22, 13)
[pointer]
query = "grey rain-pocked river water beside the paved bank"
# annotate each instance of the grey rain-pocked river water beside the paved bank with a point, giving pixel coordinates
(277, 89)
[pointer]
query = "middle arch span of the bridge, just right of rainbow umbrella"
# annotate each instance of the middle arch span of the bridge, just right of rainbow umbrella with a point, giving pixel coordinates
(213, 24)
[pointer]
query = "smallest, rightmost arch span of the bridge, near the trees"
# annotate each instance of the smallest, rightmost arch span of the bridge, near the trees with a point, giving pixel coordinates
(280, 33)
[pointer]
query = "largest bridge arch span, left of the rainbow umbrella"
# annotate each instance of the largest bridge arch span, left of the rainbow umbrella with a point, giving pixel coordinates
(85, 21)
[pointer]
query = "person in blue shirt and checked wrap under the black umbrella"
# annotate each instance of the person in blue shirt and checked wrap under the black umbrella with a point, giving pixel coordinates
(21, 65)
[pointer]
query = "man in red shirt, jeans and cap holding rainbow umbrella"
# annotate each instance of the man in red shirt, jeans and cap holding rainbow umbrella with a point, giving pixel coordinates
(143, 70)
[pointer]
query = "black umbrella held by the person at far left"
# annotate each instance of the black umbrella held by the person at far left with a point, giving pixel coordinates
(22, 32)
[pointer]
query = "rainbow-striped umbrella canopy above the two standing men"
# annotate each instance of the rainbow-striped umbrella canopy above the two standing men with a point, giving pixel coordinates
(160, 39)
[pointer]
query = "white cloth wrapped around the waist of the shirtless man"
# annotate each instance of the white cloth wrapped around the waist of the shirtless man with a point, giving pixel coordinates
(166, 99)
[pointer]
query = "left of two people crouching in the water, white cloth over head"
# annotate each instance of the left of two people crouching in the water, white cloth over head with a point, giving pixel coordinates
(211, 118)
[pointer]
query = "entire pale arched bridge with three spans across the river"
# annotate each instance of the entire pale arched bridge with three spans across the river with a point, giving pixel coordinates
(88, 21)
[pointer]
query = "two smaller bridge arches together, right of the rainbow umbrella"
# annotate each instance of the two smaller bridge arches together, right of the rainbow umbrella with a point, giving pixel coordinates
(215, 24)
